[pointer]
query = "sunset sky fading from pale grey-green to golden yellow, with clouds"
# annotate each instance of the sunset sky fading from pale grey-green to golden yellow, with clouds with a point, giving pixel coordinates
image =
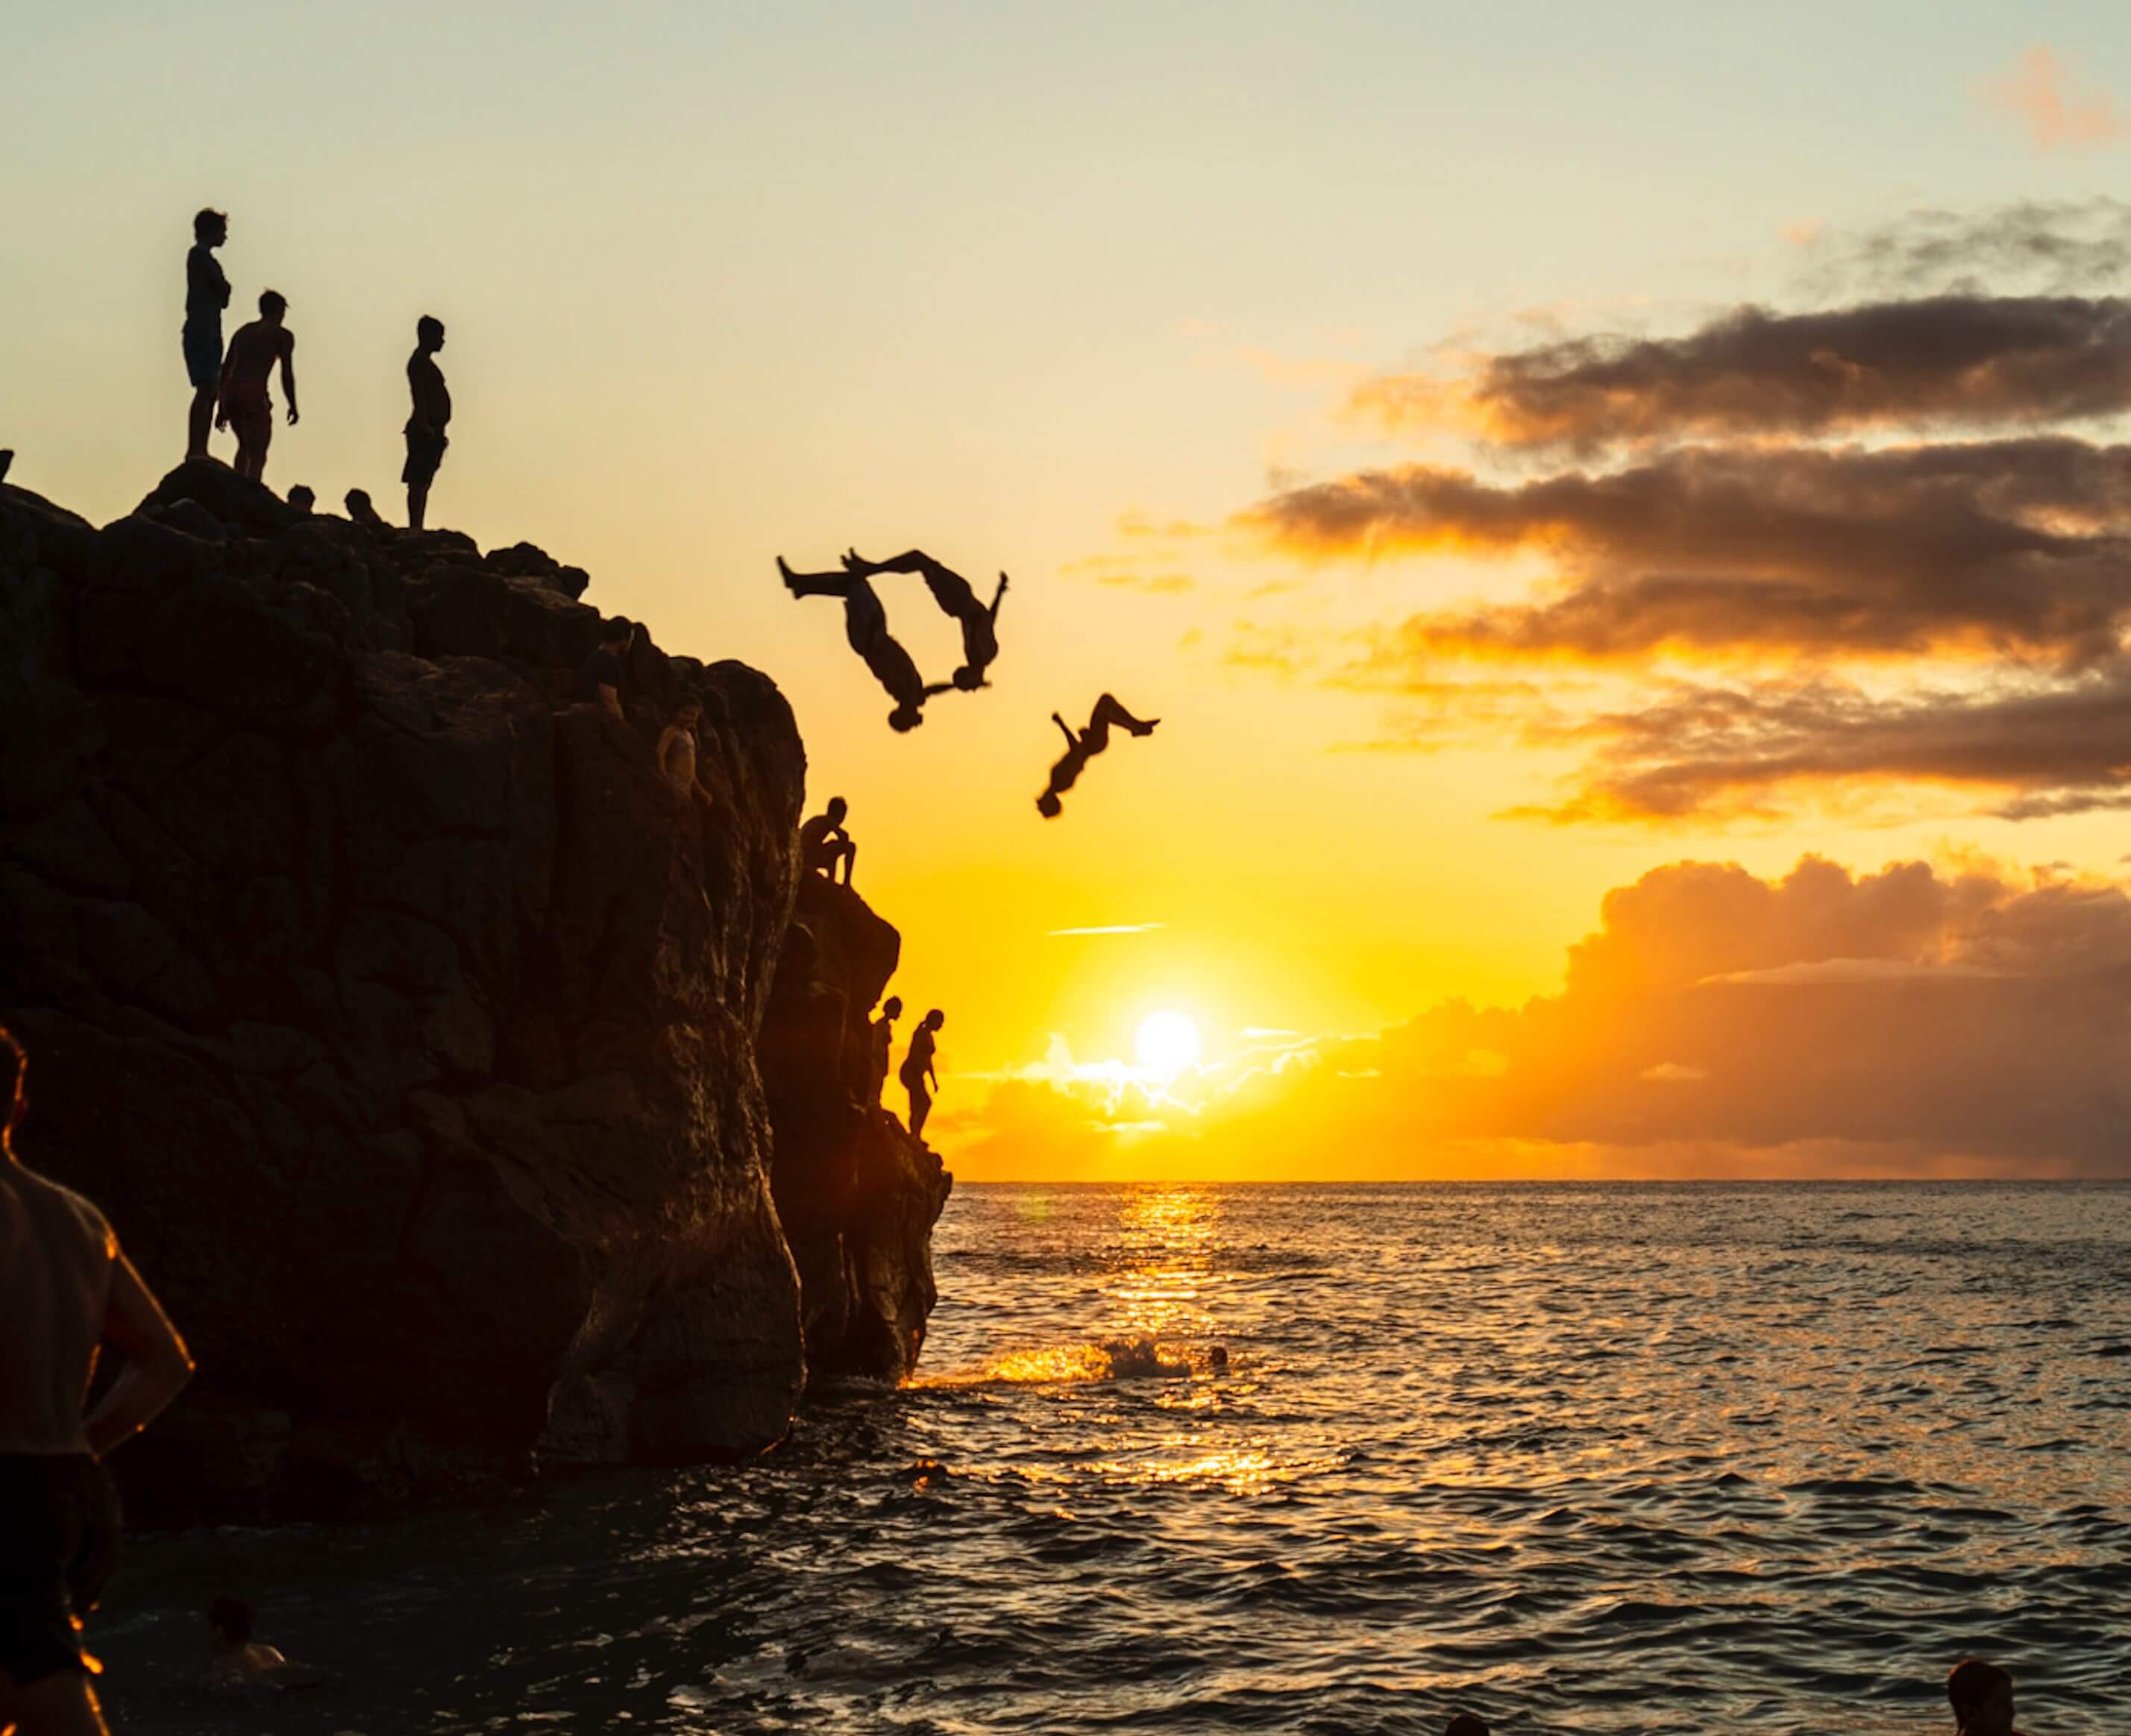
(1625, 485)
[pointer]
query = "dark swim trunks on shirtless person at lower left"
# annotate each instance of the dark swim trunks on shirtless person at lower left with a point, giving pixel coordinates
(59, 1545)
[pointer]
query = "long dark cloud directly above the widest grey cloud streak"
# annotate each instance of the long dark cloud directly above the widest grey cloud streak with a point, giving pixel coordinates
(1925, 363)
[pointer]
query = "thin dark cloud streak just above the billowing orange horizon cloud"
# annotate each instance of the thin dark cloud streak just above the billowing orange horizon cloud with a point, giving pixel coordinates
(2032, 751)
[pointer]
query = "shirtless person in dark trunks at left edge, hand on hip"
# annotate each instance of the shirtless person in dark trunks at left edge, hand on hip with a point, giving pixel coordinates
(65, 1290)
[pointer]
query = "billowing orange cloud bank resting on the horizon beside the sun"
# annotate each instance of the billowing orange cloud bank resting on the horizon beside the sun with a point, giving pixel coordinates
(1910, 1021)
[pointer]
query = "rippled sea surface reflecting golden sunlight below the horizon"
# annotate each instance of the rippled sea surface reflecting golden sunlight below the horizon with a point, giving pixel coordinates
(1580, 1460)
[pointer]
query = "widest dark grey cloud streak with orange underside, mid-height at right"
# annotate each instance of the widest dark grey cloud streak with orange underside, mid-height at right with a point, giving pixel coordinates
(2013, 546)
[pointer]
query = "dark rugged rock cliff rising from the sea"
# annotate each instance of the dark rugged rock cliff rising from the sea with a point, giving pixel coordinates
(408, 1023)
